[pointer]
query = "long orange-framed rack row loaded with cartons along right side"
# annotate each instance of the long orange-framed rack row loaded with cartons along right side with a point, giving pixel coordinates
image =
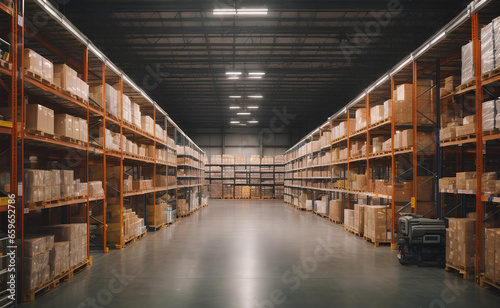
(422, 139)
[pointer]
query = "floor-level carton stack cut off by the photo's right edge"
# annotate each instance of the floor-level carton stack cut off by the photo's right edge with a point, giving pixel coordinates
(492, 254)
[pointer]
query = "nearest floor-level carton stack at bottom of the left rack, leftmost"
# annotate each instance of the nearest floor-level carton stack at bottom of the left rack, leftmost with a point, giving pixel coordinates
(36, 260)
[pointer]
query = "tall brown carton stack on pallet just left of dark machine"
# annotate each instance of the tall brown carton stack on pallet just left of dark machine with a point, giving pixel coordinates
(378, 223)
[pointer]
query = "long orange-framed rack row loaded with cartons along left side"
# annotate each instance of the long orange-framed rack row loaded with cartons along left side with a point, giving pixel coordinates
(88, 150)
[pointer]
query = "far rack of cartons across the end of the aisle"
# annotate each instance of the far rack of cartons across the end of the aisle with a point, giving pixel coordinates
(234, 178)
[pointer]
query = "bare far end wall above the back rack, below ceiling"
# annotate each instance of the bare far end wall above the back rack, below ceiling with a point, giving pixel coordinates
(241, 141)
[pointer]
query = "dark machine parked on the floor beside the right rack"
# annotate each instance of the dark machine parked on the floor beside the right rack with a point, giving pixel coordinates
(421, 240)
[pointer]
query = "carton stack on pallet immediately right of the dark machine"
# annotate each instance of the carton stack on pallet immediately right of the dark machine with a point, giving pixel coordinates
(461, 242)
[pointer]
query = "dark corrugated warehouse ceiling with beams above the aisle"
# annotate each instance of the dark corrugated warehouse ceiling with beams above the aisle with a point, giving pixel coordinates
(317, 55)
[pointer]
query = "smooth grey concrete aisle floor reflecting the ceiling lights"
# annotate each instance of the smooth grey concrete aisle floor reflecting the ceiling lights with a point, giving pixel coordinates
(259, 254)
